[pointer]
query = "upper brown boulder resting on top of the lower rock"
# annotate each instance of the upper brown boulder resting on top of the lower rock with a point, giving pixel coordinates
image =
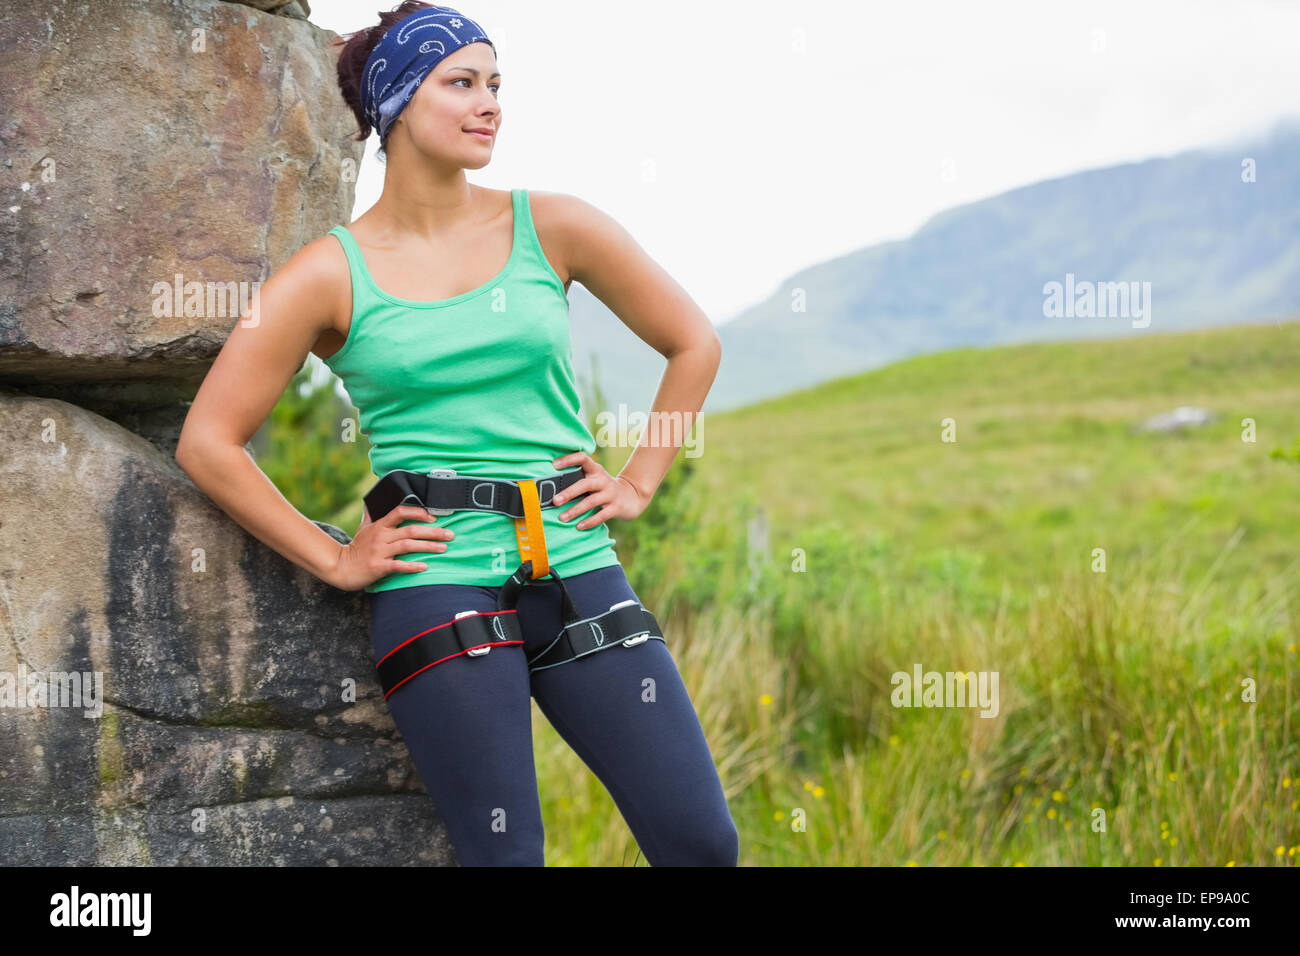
(159, 161)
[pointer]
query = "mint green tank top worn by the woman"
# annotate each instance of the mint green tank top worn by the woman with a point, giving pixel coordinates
(482, 383)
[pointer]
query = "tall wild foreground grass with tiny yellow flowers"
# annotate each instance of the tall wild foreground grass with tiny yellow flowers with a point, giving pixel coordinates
(1119, 694)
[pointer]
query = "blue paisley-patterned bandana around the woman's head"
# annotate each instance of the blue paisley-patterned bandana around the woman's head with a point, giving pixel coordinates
(406, 54)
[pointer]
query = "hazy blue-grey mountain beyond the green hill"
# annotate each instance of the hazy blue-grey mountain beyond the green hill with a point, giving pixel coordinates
(1215, 249)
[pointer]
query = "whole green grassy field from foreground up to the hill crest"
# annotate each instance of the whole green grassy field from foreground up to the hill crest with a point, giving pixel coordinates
(1147, 712)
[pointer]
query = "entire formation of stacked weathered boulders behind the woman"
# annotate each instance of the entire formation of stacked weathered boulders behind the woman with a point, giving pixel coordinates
(172, 693)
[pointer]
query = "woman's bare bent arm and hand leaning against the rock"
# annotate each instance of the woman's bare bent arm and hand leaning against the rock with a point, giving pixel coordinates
(266, 349)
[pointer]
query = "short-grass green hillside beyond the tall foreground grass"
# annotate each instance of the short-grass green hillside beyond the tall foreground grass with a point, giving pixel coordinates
(1047, 465)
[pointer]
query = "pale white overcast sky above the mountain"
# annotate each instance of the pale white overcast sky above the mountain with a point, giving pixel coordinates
(740, 141)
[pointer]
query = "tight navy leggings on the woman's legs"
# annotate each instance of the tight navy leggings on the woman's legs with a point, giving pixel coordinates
(469, 726)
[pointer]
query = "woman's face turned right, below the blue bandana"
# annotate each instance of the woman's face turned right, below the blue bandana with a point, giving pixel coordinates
(460, 96)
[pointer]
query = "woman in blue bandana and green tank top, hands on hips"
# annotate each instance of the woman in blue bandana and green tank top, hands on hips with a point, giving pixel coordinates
(458, 362)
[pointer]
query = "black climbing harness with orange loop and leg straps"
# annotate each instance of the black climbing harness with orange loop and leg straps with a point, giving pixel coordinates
(474, 634)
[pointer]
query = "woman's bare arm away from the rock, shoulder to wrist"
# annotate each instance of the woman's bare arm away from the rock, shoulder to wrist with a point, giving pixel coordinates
(593, 249)
